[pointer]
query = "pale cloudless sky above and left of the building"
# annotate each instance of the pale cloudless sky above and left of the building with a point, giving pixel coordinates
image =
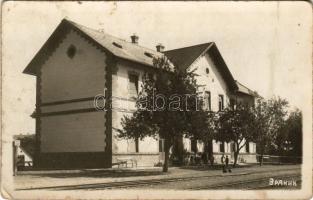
(266, 45)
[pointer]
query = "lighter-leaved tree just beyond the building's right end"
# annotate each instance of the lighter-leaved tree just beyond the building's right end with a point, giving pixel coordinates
(268, 121)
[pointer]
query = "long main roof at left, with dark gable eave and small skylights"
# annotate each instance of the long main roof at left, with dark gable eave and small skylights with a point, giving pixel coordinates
(106, 42)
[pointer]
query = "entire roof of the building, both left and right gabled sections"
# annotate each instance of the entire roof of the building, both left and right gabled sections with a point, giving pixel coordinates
(182, 57)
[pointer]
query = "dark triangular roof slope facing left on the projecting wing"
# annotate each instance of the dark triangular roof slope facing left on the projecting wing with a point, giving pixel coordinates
(184, 57)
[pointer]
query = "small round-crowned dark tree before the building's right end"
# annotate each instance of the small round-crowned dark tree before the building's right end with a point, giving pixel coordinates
(234, 125)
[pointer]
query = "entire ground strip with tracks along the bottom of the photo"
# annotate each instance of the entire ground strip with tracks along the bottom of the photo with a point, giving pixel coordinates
(186, 178)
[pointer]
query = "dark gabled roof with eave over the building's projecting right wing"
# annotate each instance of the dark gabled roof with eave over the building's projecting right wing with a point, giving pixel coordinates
(185, 57)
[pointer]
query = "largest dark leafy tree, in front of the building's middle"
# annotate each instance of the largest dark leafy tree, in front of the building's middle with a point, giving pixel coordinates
(166, 107)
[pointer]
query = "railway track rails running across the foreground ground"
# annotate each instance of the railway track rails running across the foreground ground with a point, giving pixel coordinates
(152, 182)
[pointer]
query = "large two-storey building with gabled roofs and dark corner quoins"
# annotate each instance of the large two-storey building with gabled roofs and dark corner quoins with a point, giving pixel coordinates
(77, 64)
